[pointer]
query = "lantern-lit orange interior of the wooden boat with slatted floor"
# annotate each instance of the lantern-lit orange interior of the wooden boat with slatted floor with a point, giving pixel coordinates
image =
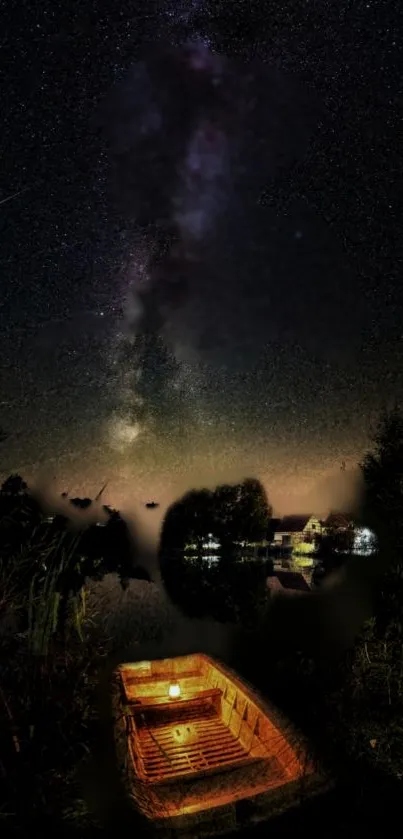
(190, 719)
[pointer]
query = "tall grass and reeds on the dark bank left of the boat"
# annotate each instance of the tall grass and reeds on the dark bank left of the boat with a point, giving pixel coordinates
(49, 673)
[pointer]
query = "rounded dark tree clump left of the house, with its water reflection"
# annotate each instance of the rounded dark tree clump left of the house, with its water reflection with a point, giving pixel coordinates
(232, 514)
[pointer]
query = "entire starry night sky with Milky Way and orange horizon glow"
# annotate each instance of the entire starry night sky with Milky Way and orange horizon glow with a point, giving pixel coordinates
(200, 248)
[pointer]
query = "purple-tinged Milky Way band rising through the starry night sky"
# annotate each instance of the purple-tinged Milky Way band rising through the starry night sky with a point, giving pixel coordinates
(175, 131)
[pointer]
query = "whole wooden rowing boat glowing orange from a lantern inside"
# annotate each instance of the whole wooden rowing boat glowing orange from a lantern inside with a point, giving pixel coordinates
(205, 754)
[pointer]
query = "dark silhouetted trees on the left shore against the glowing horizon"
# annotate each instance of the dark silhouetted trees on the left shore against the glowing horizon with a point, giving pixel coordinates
(47, 557)
